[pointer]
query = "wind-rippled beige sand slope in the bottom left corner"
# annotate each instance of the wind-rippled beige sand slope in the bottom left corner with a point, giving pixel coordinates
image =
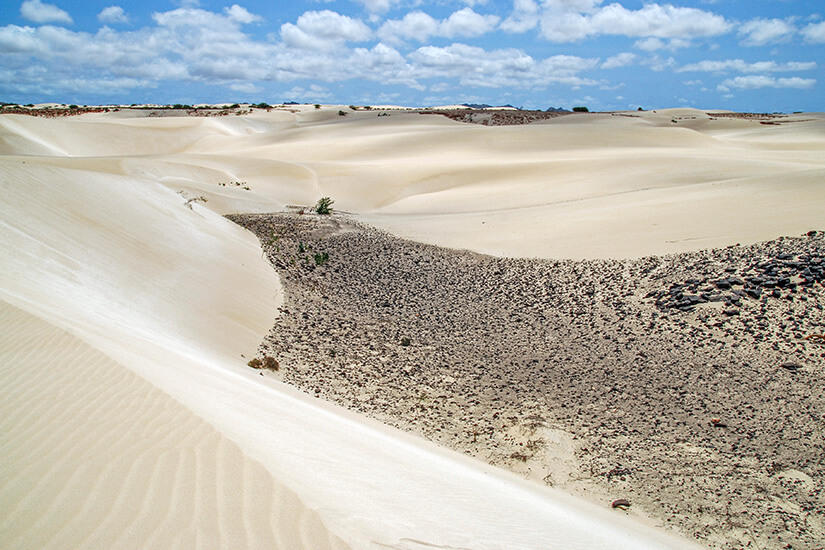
(94, 457)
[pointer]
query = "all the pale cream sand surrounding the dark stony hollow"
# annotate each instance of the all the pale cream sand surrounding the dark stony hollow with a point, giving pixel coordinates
(115, 248)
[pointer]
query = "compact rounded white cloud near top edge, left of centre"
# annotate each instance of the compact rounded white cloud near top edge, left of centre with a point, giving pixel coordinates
(323, 30)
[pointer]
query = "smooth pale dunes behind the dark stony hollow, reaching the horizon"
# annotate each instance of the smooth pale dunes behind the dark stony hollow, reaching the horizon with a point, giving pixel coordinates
(561, 188)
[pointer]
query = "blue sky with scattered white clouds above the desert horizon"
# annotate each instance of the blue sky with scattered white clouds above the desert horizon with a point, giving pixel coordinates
(745, 55)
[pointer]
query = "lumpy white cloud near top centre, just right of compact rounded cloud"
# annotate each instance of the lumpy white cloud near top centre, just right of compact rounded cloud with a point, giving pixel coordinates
(420, 26)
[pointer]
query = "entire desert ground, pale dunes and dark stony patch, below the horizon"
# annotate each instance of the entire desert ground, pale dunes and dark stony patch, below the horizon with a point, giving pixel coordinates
(599, 330)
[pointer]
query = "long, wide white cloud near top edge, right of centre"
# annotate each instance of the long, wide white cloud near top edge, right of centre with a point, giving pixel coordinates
(652, 20)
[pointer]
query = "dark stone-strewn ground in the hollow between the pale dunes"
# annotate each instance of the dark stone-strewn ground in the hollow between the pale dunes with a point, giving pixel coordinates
(690, 385)
